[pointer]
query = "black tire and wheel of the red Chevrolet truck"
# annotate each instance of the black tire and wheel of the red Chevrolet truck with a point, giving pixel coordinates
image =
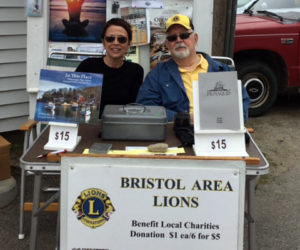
(261, 84)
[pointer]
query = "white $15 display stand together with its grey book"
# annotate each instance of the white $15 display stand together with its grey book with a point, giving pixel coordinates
(218, 115)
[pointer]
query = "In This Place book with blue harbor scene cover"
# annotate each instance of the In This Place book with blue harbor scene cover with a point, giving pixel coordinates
(70, 97)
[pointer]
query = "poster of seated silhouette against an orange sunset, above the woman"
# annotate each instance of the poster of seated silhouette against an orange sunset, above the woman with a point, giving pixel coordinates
(76, 20)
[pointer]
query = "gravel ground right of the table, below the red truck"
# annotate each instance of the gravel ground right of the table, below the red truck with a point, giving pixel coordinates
(277, 134)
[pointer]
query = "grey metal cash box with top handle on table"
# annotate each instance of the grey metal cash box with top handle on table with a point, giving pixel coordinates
(134, 122)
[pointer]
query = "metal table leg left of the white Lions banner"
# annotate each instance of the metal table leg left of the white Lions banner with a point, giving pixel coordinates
(35, 208)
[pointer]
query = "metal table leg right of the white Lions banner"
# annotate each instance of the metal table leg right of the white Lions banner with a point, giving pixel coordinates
(251, 212)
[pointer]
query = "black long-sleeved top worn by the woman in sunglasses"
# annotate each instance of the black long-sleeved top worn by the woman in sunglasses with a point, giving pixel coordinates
(120, 86)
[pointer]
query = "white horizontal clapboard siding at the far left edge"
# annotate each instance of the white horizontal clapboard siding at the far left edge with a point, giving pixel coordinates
(14, 100)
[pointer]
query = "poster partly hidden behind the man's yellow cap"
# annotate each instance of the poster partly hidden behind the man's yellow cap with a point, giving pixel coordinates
(158, 18)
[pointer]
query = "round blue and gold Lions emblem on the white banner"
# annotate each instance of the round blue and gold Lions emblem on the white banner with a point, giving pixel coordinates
(93, 207)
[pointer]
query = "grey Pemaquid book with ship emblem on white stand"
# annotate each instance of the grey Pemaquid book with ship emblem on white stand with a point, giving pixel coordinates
(219, 101)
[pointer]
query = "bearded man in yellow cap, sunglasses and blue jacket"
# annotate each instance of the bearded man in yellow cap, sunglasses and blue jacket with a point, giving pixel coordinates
(169, 84)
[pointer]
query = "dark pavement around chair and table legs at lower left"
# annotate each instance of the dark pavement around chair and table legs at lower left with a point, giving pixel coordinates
(9, 220)
